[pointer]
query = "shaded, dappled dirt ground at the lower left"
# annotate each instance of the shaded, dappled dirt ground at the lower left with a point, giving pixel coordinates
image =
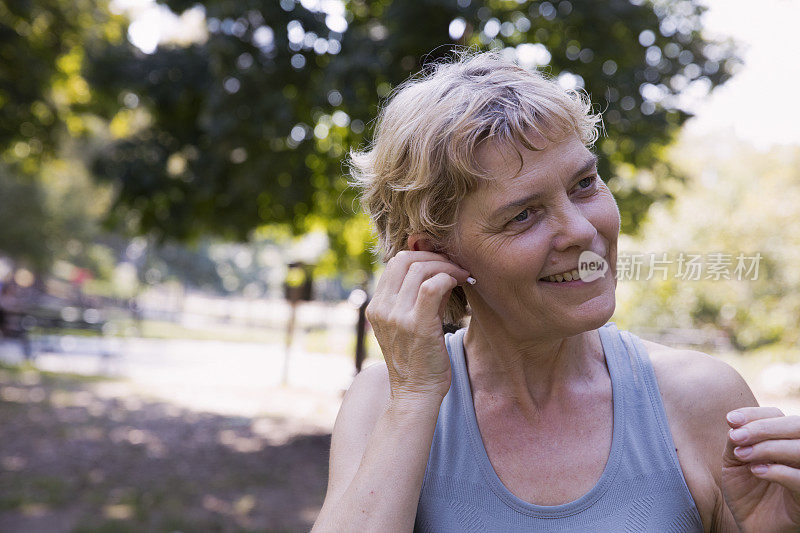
(77, 459)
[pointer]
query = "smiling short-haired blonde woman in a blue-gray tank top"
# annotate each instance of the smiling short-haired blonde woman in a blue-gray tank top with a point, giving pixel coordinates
(540, 415)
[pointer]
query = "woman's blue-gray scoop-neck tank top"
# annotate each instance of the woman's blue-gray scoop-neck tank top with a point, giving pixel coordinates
(641, 489)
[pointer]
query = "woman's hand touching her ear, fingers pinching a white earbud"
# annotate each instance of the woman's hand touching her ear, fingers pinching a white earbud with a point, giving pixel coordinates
(406, 314)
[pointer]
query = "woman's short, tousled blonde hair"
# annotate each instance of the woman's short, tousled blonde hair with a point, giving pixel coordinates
(421, 162)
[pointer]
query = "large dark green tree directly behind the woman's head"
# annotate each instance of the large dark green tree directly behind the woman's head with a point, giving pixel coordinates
(249, 127)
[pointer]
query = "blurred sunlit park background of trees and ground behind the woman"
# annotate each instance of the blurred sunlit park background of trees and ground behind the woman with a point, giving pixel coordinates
(184, 268)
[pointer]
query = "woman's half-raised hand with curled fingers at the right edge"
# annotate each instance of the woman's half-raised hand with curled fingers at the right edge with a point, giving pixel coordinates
(761, 469)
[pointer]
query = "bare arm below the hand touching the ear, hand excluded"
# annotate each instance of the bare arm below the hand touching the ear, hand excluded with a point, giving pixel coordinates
(379, 451)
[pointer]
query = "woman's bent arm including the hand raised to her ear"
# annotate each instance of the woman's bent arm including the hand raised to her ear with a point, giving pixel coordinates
(379, 454)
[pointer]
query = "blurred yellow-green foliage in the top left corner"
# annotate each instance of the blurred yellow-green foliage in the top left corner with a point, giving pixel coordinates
(42, 93)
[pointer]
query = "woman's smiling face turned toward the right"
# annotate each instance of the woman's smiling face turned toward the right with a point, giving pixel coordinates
(518, 228)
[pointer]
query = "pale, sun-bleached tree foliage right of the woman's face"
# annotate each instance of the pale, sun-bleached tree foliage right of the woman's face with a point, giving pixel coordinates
(720, 209)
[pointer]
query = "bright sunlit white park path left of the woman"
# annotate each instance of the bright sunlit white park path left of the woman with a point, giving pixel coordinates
(228, 378)
